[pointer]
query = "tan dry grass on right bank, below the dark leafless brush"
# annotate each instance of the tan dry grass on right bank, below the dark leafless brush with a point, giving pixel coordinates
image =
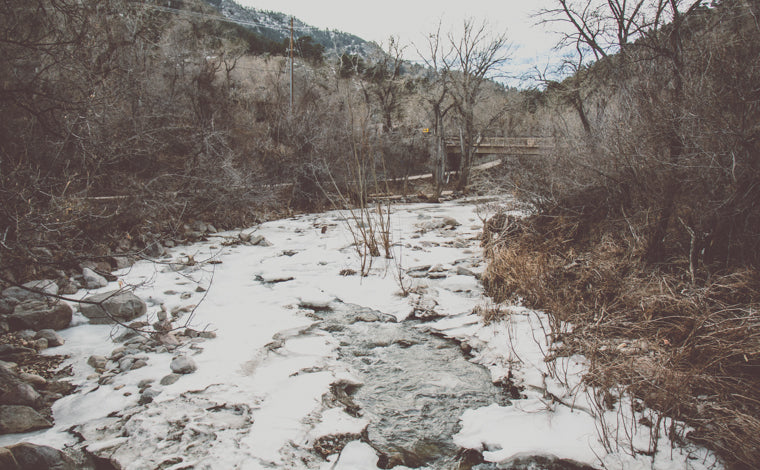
(691, 351)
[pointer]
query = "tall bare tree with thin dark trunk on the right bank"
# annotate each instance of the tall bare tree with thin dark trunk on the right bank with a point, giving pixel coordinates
(639, 33)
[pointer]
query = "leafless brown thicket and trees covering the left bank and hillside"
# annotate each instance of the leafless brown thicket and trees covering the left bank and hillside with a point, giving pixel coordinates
(124, 123)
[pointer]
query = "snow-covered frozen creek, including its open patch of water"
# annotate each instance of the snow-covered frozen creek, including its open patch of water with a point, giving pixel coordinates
(315, 369)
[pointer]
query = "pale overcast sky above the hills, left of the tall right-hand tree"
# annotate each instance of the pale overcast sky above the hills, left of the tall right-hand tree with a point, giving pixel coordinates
(410, 20)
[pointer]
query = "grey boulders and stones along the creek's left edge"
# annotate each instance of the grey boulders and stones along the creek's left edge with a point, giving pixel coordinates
(33, 313)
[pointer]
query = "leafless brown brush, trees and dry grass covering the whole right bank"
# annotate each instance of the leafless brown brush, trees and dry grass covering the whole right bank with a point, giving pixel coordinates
(646, 230)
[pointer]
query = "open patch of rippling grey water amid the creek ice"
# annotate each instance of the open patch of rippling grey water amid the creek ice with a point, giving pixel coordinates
(416, 386)
